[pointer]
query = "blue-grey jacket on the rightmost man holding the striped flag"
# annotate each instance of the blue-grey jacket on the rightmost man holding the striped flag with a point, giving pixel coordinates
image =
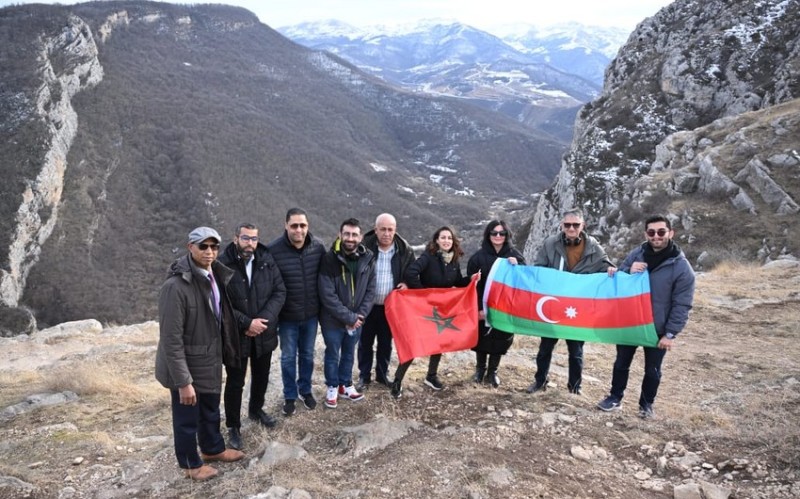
(671, 290)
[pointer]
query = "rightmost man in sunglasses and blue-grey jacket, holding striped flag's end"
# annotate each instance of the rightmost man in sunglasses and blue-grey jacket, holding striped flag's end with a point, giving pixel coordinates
(671, 296)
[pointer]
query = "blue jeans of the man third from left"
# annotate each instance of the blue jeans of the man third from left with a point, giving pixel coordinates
(297, 355)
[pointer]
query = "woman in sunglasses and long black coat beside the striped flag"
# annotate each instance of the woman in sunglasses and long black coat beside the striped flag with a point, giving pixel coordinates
(492, 342)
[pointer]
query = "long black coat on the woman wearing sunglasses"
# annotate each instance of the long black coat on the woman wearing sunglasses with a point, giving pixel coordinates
(490, 340)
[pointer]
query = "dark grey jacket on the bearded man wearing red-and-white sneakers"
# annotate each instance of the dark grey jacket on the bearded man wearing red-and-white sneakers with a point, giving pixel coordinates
(345, 296)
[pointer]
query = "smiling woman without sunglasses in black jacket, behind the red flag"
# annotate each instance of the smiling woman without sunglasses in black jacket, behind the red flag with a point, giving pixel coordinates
(437, 267)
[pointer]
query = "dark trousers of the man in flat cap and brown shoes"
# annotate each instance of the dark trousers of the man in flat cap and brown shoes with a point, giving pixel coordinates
(193, 425)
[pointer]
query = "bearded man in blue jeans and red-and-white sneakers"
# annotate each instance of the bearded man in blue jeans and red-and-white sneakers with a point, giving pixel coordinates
(347, 292)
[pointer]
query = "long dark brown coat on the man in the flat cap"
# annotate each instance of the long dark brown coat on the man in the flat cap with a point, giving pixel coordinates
(191, 349)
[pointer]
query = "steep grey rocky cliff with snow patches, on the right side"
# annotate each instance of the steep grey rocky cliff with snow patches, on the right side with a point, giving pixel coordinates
(698, 119)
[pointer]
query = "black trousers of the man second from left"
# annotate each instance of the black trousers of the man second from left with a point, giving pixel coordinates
(259, 379)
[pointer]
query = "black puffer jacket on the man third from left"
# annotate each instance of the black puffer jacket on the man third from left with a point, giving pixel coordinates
(300, 271)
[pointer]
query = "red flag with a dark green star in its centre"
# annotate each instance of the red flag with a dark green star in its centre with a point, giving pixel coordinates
(433, 320)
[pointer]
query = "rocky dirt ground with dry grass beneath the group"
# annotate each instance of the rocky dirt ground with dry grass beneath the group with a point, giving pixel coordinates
(727, 419)
